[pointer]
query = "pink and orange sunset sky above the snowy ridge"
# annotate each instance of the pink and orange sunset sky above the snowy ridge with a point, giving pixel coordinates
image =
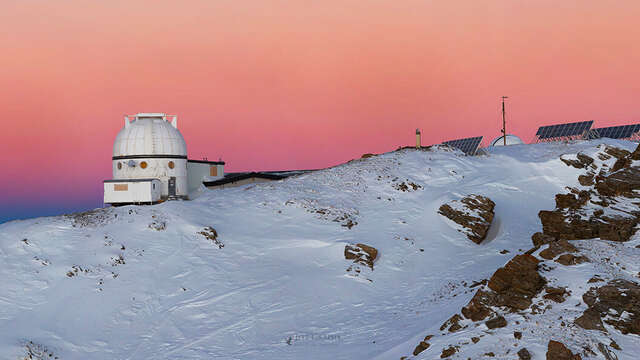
(271, 85)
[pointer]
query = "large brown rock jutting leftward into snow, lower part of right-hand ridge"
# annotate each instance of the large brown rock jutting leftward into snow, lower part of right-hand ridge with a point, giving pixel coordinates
(513, 285)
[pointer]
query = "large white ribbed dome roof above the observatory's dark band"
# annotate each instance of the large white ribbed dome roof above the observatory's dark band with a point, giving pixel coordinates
(149, 134)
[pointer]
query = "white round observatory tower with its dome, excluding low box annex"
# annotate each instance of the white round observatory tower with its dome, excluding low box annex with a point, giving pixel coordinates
(149, 146)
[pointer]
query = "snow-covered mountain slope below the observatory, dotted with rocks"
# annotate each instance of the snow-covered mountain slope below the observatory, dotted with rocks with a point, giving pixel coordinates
(148, 282)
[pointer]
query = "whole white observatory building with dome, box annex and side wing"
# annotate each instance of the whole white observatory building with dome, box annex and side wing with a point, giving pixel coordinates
(150, 163)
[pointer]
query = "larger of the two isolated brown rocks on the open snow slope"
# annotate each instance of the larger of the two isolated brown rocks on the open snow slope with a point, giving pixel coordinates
(474, 213)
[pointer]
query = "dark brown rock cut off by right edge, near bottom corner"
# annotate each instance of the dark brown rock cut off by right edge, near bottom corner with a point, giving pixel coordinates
(617, 303)
